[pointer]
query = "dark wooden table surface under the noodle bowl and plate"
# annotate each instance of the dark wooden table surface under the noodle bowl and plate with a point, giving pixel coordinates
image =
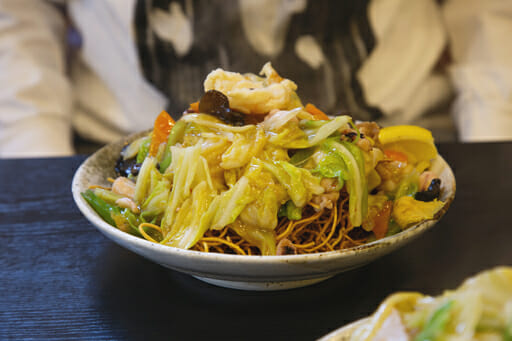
(61, 279)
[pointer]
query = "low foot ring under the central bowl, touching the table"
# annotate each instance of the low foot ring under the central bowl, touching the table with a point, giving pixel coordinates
(261, 286)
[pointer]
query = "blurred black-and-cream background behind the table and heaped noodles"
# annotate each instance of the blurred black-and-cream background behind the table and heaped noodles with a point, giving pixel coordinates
(77, 74)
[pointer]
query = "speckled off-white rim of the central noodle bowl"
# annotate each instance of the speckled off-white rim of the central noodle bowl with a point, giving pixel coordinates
(107, 229)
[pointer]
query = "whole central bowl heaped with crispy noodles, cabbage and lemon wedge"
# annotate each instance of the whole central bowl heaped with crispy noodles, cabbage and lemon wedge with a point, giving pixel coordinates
(252, 189)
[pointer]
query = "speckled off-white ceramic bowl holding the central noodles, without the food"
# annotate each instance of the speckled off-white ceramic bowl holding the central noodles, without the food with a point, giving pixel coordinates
(245, 272)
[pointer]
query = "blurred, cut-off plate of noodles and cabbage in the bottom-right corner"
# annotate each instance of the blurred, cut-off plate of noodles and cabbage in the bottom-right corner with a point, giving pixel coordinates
(479, 309)
